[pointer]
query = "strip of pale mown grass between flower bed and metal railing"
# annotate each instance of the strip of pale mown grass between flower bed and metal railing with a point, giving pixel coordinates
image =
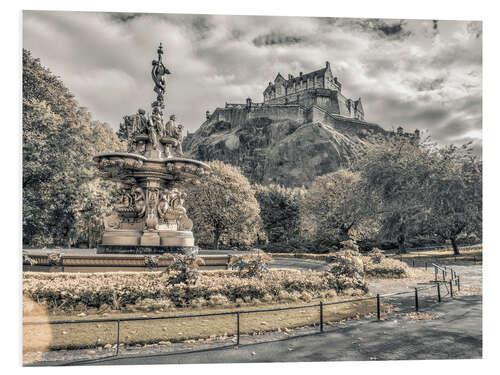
(86, 335)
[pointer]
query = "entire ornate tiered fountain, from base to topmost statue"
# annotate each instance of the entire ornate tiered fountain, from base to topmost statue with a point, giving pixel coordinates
(151, 217)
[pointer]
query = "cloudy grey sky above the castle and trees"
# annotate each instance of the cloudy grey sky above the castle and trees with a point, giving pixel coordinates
(422, 74)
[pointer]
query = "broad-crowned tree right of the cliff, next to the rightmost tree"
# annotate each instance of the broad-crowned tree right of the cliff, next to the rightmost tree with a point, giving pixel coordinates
(398, 170)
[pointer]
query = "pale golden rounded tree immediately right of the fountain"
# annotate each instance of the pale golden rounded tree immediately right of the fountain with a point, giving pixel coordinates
(224, 209)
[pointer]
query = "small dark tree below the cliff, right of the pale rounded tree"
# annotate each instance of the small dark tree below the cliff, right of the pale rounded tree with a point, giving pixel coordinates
(279, 210)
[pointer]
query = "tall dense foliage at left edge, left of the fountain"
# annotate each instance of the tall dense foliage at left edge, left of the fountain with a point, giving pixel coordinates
(60, 184)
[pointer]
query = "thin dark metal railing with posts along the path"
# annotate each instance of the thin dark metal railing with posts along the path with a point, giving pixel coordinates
(454, 280)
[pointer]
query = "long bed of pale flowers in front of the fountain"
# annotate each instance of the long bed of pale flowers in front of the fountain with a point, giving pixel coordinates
(68, 292)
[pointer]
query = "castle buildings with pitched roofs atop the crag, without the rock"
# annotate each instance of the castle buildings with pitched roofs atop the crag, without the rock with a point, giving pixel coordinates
(319, 88)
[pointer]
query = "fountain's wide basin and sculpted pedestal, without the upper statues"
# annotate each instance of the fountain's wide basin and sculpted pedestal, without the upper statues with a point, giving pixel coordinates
(151, 217)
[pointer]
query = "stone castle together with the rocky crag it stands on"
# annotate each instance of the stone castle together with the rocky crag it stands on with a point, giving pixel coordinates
(304, 128)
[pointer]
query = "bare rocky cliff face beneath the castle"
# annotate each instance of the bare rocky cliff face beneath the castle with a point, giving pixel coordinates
(287, 151)
